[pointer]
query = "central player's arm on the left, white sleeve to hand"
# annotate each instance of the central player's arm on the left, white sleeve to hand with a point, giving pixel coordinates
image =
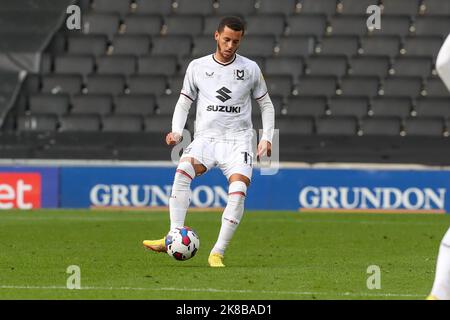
(181, 112)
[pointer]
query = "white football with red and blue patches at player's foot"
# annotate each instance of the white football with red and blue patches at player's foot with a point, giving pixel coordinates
(182, 243)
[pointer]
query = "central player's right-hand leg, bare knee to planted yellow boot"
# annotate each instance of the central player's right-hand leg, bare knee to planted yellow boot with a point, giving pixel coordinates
(231, 218)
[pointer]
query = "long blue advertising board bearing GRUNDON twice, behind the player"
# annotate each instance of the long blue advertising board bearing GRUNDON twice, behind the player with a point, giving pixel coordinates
(334, 190)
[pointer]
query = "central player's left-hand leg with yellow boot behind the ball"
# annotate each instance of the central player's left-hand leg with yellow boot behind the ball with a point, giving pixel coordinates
(179, 200)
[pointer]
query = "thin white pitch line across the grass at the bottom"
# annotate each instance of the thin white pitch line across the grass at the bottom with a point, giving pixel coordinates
(212, 290)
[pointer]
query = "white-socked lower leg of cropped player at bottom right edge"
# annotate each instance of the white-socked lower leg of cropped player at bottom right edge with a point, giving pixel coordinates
(441, 286)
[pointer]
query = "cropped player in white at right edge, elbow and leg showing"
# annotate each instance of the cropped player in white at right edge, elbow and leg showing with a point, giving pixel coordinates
(441, 286)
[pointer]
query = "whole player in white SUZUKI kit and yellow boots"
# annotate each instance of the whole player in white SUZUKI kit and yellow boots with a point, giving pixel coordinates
(223, 84)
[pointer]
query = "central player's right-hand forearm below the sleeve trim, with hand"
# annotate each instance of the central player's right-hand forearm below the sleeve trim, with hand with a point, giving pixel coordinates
(268, 121)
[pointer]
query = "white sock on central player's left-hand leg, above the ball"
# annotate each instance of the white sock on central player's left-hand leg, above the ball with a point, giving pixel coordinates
(181, 194)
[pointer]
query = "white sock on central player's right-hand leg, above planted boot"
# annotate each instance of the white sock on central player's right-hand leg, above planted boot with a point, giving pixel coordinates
(232, 215)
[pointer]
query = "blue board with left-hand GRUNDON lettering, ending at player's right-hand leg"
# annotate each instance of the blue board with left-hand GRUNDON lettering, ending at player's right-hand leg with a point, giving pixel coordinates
(83, 187)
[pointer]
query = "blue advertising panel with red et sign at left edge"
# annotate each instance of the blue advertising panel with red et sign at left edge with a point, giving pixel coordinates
(28, 187)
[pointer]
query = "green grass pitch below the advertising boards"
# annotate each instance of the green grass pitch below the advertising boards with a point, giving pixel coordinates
(274, 255)
